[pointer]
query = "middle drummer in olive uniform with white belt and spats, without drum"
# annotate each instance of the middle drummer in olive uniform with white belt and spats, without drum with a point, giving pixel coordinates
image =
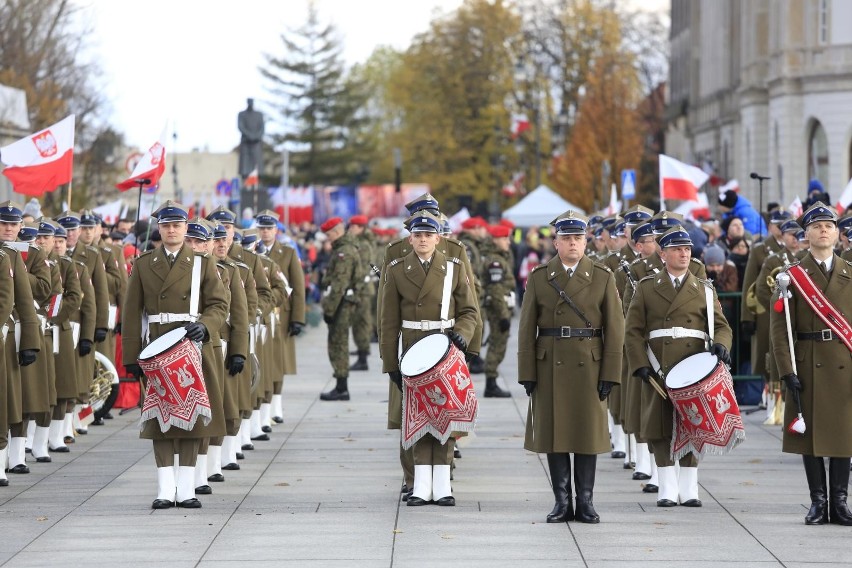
(412, 296)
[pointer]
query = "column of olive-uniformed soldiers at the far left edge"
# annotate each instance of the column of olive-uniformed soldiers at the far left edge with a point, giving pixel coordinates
(60, 289)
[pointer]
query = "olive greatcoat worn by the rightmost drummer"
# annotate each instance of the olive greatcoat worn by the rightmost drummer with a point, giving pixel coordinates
(657, 305)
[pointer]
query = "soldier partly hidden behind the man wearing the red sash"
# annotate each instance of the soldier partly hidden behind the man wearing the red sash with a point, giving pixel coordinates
(763, 289)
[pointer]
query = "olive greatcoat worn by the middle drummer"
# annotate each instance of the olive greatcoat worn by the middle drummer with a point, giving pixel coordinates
(410, 293)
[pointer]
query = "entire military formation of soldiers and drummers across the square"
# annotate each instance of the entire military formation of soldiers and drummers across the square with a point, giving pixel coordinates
(623, 345)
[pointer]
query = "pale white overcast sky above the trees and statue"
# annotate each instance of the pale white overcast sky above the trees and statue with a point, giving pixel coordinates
(194, 62)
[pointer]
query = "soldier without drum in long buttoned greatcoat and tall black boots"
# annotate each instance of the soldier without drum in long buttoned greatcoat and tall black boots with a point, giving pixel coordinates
(570, 341)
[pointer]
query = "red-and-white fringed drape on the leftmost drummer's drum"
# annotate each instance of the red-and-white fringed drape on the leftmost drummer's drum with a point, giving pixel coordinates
(176, 393)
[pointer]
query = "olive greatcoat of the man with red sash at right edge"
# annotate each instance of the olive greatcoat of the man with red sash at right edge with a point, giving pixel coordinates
(823, 366)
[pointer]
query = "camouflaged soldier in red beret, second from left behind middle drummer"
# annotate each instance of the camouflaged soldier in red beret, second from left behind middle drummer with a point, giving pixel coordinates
(362, 317)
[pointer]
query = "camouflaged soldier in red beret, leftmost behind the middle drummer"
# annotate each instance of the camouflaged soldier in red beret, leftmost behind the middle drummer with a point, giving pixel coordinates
(343, 276)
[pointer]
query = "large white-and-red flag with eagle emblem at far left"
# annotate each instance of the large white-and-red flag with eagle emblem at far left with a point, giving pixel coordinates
(42, 161)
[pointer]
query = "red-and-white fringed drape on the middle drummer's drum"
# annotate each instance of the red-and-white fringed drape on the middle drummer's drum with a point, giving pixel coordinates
(439, 402)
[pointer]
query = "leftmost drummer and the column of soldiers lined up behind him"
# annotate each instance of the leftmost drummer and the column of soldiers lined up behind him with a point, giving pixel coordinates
(250, 307)
